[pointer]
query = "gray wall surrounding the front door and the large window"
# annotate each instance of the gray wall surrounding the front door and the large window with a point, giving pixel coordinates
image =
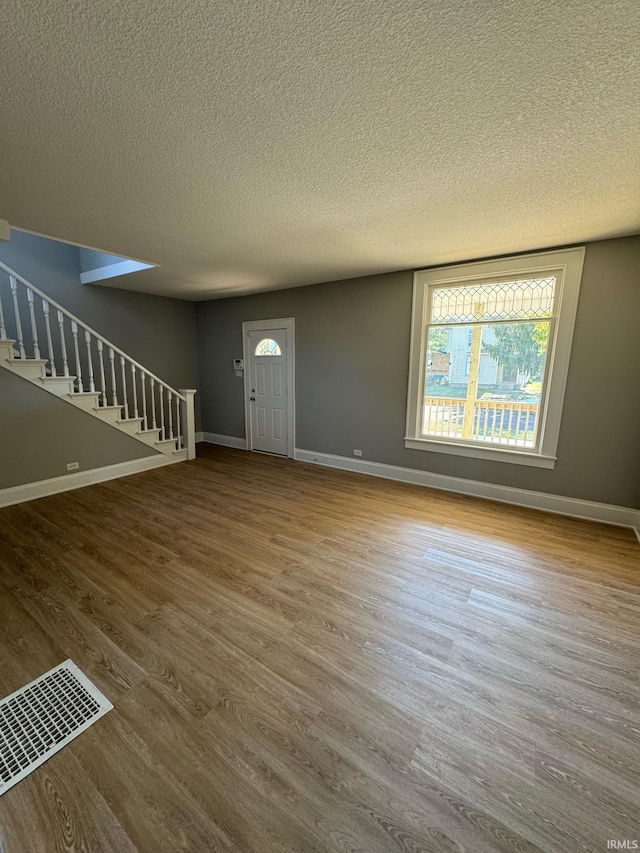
(352, 358)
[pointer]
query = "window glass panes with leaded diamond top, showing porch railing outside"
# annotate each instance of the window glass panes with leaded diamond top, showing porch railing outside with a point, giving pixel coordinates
(486, 355)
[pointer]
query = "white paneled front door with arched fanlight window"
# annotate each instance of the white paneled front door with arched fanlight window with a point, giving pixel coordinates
(268, 398)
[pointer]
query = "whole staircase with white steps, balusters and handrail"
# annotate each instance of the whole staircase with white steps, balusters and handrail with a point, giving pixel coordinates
(46, 345)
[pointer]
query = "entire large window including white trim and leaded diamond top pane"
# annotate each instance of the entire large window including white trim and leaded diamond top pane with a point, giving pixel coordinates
(489, 356)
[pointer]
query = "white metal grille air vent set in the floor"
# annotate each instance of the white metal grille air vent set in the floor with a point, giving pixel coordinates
(39, 719)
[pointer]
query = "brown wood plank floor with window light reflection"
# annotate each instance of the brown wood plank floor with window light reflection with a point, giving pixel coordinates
(308, 660)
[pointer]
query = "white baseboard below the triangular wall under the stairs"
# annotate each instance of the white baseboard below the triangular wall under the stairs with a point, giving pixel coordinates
(68, 482)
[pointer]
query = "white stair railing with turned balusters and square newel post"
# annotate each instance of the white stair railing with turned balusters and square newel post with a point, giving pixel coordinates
(94, 364)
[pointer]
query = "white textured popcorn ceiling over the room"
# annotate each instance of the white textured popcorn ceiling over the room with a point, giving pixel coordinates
(253, 145)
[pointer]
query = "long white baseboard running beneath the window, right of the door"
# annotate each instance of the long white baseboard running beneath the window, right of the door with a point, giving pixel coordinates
(620, 516)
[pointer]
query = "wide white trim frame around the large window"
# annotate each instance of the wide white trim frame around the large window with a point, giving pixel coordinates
(569, 263)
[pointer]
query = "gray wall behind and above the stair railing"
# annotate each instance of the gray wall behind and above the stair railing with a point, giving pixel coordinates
(159, 333)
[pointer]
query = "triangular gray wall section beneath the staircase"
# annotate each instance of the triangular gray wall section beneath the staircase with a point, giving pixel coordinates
(40, 433)
